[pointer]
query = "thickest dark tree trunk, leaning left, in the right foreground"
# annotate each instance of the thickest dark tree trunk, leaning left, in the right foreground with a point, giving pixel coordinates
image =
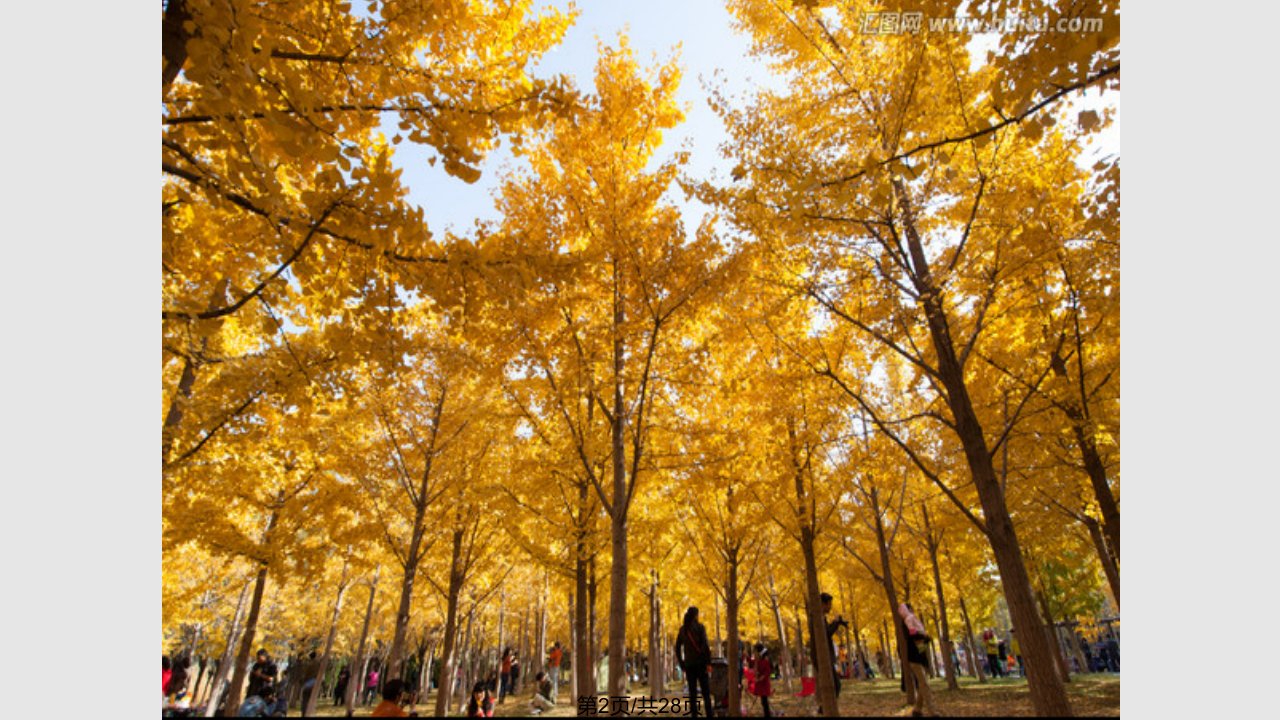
(1048, 691)
